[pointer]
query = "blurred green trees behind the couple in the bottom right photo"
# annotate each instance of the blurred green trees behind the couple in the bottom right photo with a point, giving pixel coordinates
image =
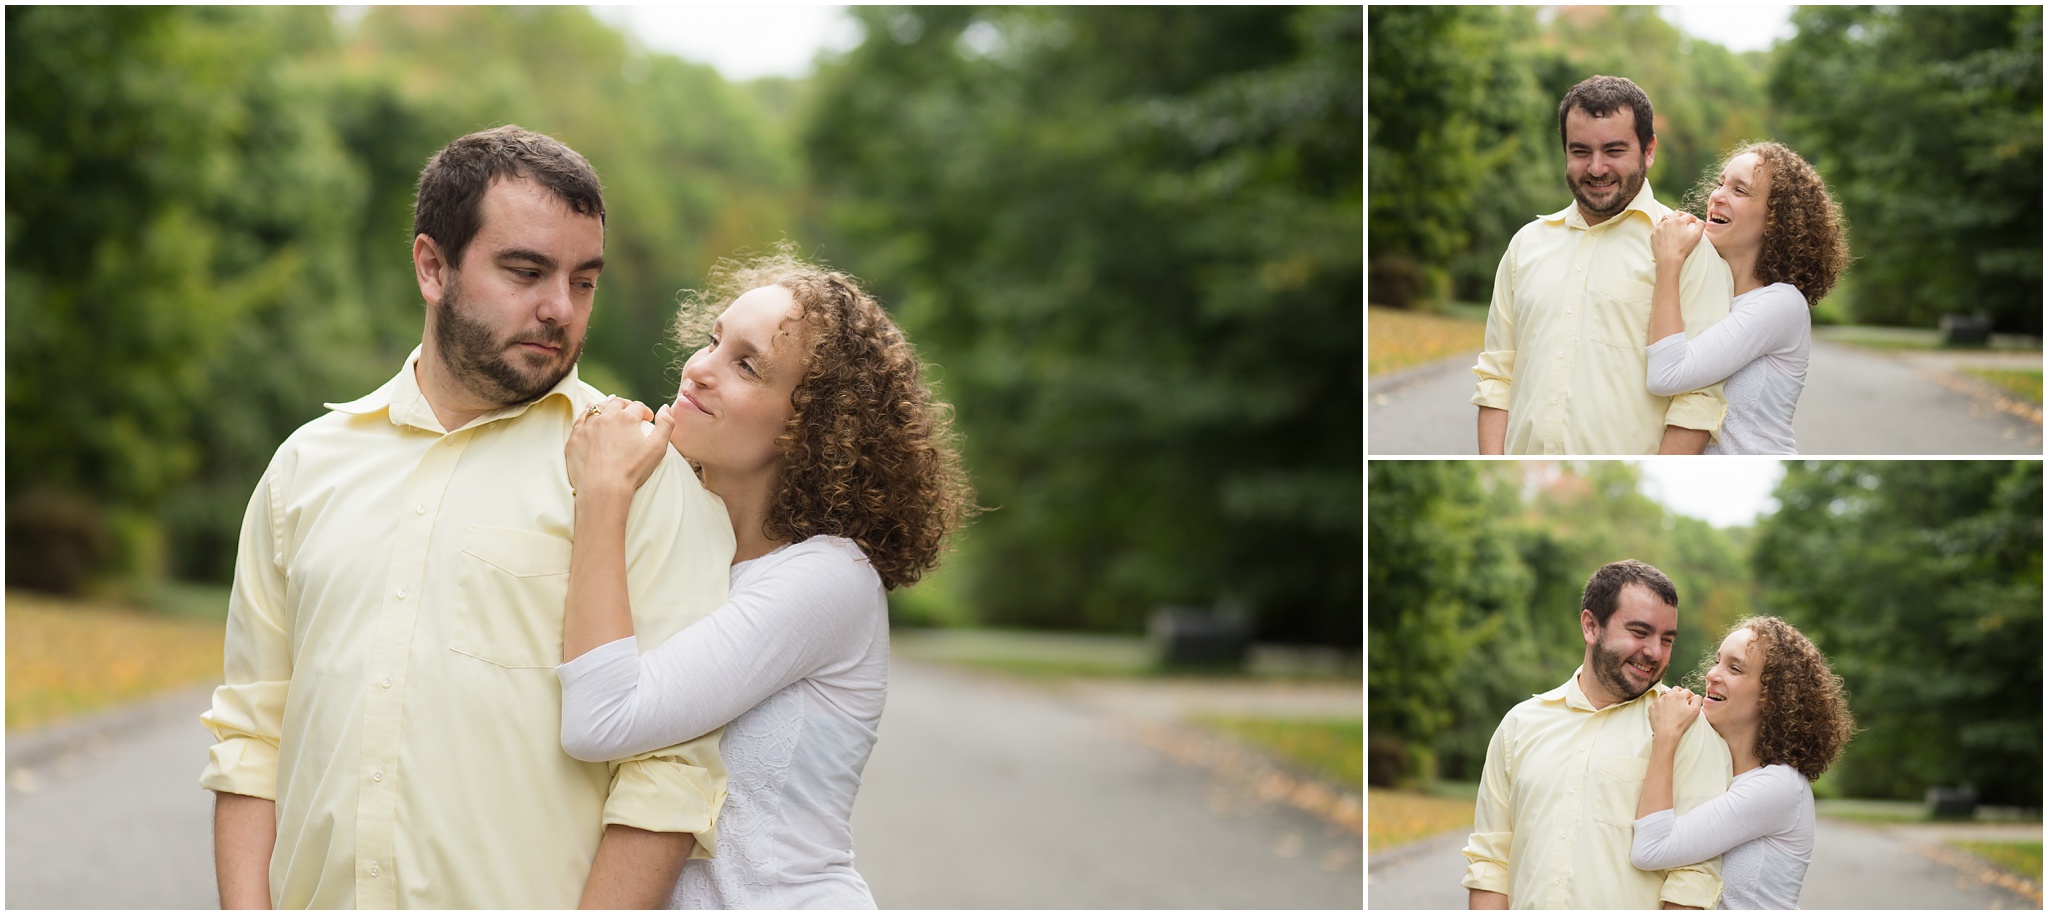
(1922, 580)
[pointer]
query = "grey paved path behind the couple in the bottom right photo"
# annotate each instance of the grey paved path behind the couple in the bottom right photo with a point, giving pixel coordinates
(1854, 867)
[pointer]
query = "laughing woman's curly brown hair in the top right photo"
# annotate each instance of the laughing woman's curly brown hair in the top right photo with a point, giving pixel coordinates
(1805, 238)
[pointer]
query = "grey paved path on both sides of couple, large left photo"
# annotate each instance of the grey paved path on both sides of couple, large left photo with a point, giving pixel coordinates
(982, 795)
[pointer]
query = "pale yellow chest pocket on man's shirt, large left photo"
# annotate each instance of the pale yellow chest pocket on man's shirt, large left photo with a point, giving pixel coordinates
(513, 593)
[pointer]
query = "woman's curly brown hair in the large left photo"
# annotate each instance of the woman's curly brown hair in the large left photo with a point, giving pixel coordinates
(867, 451)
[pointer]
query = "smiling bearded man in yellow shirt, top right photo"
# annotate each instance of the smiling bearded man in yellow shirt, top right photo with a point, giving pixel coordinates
(1566, 365)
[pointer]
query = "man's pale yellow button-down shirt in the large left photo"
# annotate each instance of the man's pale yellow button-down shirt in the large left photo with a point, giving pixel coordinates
(392, 646)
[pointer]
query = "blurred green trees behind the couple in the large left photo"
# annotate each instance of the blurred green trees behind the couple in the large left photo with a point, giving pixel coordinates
(1127, 238)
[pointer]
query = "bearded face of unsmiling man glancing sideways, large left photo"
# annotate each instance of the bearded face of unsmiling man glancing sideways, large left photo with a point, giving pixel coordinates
(513, 316)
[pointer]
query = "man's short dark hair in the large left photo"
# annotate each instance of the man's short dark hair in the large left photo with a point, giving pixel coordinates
(450, 204)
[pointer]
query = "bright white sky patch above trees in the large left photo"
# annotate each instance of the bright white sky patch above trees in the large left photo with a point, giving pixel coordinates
(740, 42)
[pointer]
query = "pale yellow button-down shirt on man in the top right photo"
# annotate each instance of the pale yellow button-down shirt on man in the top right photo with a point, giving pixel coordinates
(1566, 335)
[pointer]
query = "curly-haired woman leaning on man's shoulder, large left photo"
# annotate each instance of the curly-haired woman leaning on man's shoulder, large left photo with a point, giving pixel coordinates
(804, 412)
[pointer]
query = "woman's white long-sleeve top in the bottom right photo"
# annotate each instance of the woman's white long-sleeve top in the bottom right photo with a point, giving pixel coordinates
(1762, 830)
